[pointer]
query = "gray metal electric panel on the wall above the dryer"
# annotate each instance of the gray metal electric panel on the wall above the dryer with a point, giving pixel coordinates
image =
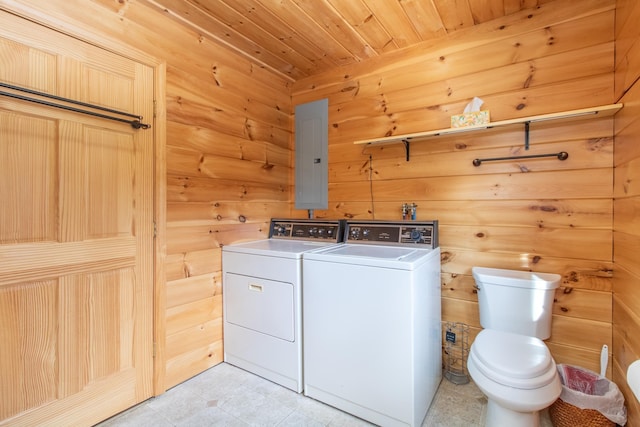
(312, 169)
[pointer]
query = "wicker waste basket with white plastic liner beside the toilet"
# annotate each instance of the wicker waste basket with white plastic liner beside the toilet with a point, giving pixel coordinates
(587, 400)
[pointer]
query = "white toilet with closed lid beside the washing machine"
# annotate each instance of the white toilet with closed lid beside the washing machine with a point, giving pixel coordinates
(508, 360)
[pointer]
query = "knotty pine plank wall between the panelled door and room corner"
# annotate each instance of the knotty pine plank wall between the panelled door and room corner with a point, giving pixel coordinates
(229, 161)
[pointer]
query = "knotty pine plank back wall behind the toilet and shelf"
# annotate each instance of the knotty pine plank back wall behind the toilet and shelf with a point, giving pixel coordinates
(542, 215)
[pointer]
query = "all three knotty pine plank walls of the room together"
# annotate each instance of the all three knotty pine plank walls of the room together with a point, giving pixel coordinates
(229, 162)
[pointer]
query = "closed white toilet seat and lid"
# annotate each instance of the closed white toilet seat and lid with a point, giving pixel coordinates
(513, 360)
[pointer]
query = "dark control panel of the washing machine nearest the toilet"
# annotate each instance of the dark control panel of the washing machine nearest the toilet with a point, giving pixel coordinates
(423, 233)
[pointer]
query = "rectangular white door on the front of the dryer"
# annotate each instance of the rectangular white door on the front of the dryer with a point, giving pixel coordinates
(262, 305)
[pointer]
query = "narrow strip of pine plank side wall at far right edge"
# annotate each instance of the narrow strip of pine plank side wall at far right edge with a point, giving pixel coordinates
(626, 228)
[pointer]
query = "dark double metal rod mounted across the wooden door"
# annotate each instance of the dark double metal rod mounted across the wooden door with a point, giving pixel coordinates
(136, 123)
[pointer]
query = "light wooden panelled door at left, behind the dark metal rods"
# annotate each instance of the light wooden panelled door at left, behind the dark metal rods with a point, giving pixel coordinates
(76, 233)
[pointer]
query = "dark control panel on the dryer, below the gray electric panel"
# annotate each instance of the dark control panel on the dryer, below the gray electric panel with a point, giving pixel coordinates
(307, 229)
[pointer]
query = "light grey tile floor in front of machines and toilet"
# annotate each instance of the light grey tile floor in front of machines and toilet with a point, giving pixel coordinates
(228, 396)
